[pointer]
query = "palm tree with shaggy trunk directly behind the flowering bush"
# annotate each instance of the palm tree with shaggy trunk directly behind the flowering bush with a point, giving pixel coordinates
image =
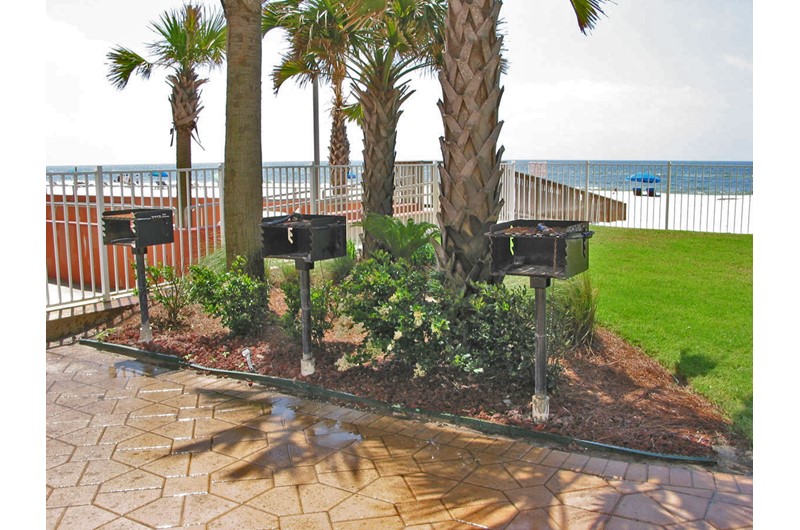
(407, 36)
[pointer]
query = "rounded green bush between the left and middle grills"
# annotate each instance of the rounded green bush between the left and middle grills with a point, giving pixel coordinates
(239, 301)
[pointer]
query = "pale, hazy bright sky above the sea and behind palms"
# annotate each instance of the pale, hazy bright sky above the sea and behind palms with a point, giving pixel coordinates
(655, 80)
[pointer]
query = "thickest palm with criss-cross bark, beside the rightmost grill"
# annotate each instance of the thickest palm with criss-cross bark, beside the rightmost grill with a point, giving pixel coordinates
(470, 174)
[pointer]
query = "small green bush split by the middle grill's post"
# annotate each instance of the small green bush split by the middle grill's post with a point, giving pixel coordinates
(321, 314)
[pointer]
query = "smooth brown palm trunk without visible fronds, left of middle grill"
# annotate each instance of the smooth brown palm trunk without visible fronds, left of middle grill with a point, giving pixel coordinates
(243, 192)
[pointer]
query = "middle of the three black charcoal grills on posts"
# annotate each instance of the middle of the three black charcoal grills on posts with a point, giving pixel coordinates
(304, 239)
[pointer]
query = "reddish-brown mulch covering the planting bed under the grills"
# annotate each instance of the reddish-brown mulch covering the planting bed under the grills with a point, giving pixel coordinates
(611, 393)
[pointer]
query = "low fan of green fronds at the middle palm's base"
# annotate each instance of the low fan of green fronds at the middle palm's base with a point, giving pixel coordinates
(401, 240)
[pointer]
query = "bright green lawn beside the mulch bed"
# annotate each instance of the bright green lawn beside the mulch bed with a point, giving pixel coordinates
(686, 299)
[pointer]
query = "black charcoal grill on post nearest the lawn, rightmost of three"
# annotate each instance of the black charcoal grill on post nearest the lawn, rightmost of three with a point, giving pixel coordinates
(541, 250)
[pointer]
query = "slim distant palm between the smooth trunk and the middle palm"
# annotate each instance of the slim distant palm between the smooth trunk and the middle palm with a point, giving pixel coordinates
(320, 36)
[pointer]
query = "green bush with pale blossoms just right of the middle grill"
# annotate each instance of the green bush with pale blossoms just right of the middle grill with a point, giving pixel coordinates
(402, 309)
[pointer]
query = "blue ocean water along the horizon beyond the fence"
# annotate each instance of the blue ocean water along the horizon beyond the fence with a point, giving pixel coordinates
(691, 177)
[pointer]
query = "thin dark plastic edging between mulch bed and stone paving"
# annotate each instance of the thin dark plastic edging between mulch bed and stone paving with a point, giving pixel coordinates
(313, 390)
